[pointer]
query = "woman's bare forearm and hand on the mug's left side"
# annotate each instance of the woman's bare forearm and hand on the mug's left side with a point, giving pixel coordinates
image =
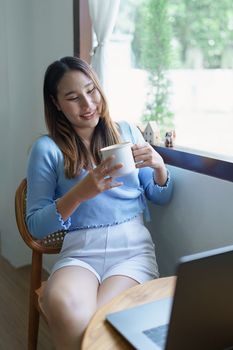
(96, 181)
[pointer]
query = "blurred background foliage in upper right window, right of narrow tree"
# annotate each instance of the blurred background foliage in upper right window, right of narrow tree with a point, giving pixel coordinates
(206, 26)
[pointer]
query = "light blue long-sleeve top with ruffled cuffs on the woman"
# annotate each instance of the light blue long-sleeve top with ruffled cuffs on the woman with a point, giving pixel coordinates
(46, 182)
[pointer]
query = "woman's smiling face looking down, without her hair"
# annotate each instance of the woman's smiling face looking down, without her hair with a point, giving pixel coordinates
(80, 101)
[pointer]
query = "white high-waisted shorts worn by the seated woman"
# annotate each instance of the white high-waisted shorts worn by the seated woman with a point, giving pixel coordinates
(125, 249)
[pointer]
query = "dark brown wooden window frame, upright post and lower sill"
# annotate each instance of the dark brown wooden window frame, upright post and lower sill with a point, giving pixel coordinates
(206, 165)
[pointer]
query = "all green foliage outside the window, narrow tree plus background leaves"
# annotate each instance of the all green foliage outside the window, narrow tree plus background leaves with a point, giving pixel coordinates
(172, 34)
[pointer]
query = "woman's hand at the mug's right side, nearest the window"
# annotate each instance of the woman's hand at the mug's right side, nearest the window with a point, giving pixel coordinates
(145, 155)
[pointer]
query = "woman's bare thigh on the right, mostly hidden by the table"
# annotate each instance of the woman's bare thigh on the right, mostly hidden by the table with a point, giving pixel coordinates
(113, 286)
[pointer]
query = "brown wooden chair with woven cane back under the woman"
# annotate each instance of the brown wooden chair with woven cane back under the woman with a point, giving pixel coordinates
(49, 245)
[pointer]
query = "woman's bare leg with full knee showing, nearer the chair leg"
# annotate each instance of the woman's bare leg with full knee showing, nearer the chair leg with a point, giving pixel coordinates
(69, 301)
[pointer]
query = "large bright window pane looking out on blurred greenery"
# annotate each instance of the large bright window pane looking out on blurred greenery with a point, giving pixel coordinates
(197, 62)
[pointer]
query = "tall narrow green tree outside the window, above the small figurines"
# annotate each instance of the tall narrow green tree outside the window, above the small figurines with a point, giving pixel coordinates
(152, 47)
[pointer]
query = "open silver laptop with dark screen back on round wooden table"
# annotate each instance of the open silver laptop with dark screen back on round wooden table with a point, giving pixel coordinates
(198, 317)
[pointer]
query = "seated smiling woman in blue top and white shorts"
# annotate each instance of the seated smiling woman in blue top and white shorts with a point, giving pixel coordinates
(107, 248)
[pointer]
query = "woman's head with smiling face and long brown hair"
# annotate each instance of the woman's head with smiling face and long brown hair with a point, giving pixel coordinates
(72, 93)
